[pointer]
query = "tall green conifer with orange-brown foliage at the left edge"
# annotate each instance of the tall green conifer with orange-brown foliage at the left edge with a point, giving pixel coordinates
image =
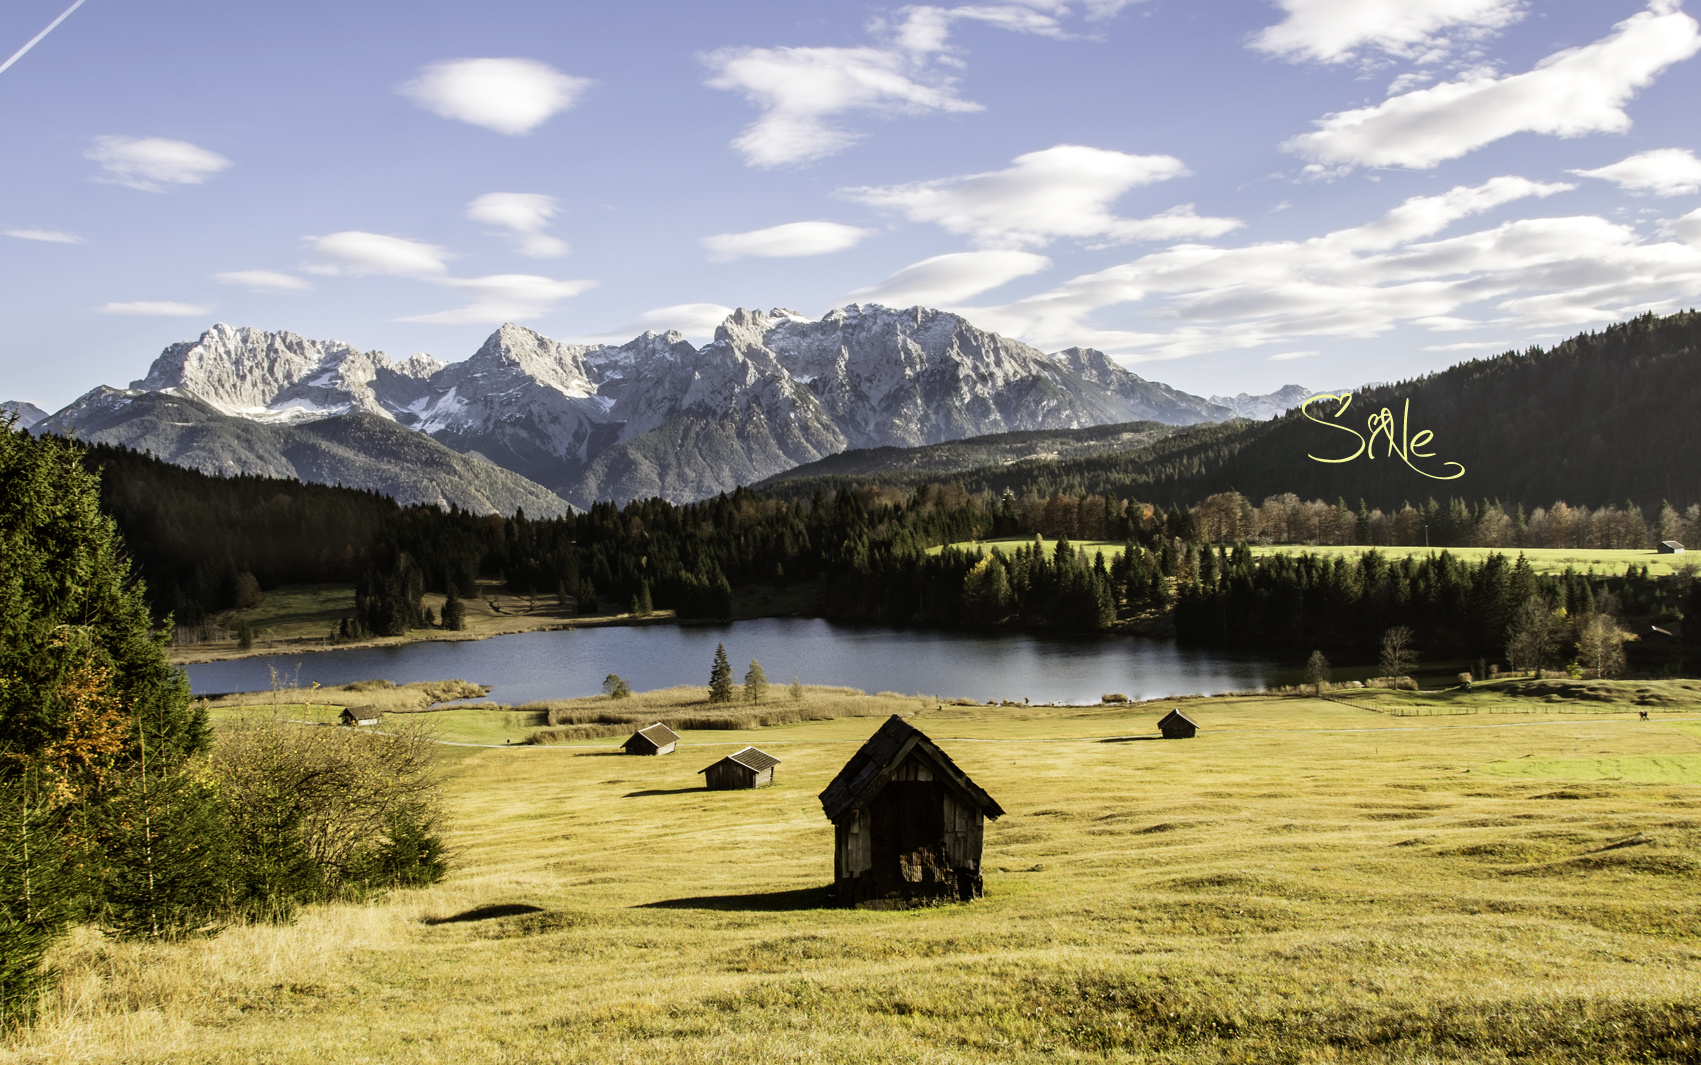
(82, 678)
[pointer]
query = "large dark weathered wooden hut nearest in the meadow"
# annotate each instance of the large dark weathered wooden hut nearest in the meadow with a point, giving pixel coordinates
(907, 823)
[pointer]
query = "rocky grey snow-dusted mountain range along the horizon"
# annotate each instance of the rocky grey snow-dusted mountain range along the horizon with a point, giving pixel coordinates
(576, 424)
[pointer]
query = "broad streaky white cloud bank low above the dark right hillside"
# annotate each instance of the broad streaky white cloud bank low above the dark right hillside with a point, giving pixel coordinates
(1363, 282)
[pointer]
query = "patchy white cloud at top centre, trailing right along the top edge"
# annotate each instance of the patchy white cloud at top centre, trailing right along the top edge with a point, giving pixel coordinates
(804, 93)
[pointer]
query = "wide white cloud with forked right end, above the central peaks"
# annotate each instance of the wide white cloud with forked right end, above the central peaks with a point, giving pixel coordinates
(1064, 191)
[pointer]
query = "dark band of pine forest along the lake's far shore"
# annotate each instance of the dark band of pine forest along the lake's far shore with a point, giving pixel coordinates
(202, 544)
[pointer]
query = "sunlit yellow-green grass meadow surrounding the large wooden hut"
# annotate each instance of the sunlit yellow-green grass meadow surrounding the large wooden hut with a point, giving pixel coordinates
(1306, 880)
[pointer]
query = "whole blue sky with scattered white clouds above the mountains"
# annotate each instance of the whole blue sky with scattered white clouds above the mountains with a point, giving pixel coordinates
(1226, 196)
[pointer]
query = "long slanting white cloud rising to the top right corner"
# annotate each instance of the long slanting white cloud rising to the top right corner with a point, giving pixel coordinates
(1567, 94)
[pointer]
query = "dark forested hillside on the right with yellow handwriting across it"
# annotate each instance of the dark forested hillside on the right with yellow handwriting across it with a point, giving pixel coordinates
(1600, 419)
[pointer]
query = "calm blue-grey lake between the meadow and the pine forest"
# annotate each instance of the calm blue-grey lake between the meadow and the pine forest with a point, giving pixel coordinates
(569, 664)
